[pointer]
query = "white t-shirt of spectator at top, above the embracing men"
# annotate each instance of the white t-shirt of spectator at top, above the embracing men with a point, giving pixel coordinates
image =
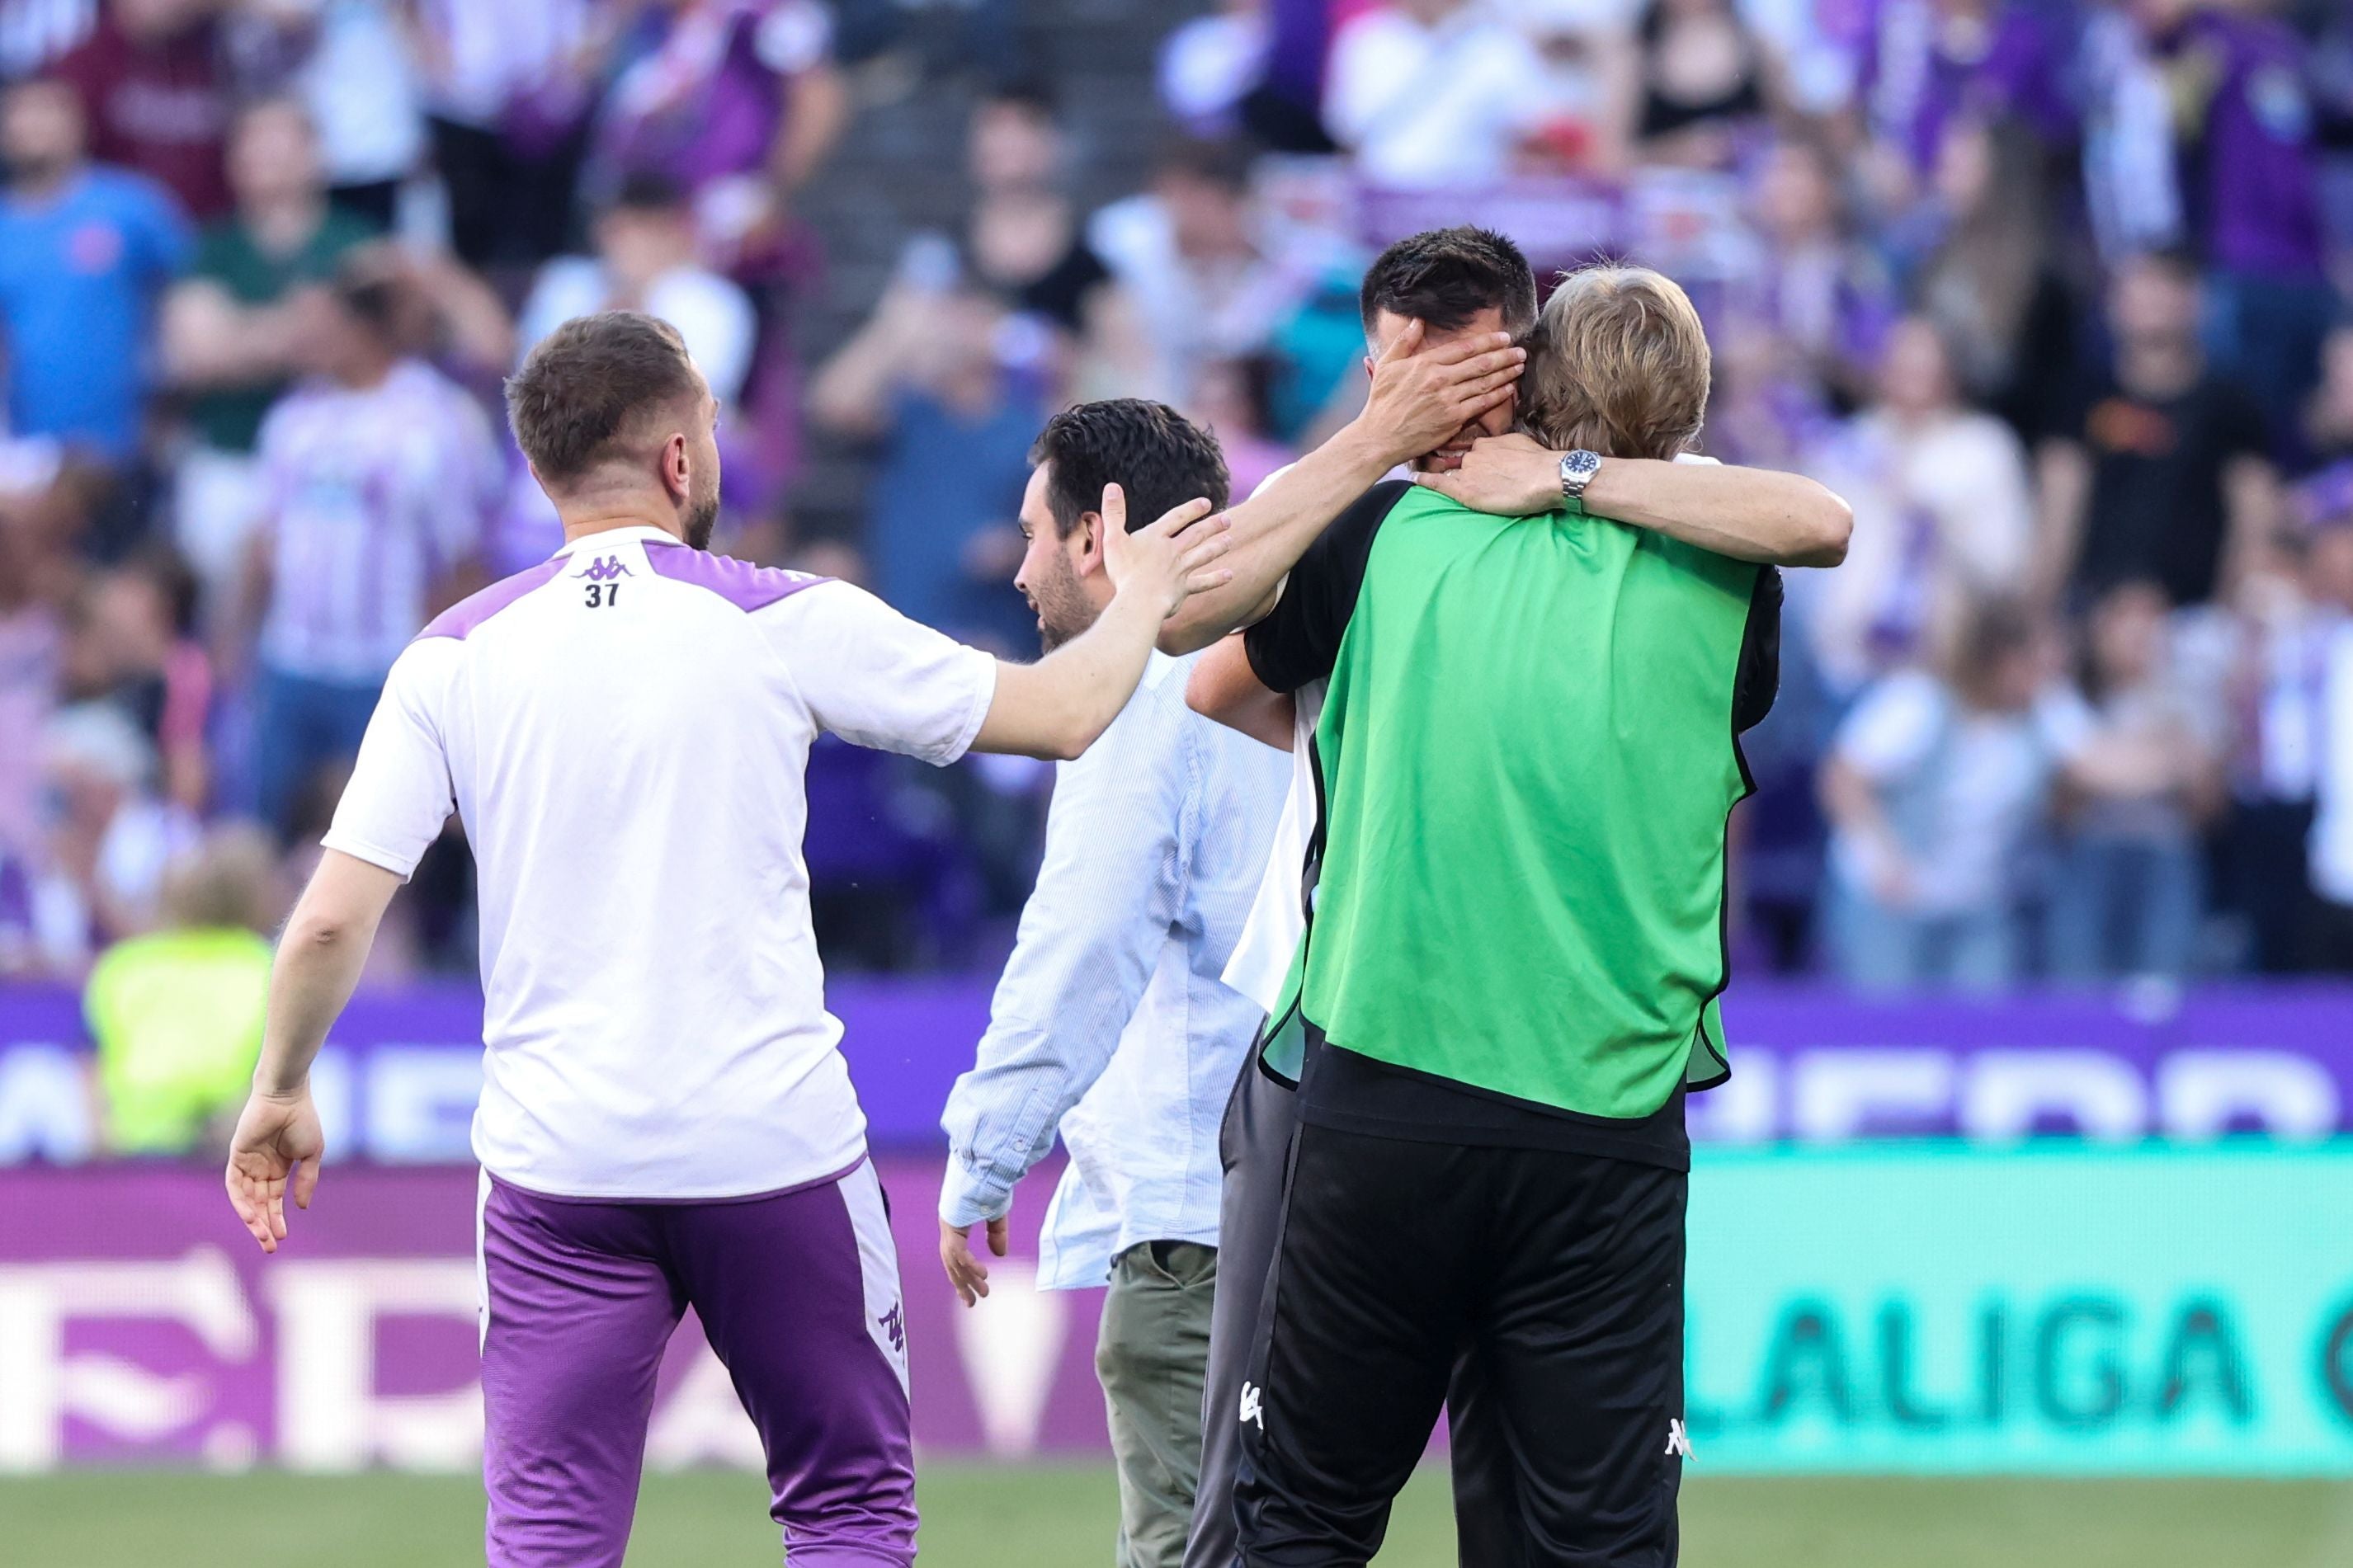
(1434, 105)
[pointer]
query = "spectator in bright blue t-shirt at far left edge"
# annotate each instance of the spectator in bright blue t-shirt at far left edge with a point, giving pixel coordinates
(84, 257)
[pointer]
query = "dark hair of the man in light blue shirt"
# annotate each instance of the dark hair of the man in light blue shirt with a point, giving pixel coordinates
(1147, 448)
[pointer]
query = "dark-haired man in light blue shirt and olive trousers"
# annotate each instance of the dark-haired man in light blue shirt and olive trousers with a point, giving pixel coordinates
(1112, 1021)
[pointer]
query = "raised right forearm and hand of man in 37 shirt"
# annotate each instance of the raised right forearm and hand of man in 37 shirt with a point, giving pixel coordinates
(1060, 706)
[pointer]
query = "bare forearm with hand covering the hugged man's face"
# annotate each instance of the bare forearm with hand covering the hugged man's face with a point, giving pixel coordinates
(1418, 401)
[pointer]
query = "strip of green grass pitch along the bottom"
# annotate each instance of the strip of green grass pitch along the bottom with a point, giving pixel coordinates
(1062, 1517)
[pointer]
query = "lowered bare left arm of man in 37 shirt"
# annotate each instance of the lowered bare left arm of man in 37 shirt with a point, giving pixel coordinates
(319, 960)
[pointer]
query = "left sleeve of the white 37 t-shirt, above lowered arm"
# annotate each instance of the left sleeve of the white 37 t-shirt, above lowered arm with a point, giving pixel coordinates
(399, 796)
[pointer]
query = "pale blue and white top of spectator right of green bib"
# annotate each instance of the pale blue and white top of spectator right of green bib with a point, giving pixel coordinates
(1985, 782)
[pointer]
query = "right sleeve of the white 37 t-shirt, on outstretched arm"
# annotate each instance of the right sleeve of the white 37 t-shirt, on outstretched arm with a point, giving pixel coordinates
(876, 678)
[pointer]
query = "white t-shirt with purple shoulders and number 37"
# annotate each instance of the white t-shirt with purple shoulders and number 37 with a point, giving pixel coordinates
(625, 735)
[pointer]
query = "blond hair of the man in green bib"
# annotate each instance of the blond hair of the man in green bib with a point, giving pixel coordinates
(1618, 366)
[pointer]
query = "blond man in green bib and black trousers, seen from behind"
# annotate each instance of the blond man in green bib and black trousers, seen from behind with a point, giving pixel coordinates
(1526, 763)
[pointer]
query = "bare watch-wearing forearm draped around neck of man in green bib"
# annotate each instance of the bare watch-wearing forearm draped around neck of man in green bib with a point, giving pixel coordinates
(1747, 514)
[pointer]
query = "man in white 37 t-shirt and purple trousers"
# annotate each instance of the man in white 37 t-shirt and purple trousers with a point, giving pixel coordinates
(665, 1115)
